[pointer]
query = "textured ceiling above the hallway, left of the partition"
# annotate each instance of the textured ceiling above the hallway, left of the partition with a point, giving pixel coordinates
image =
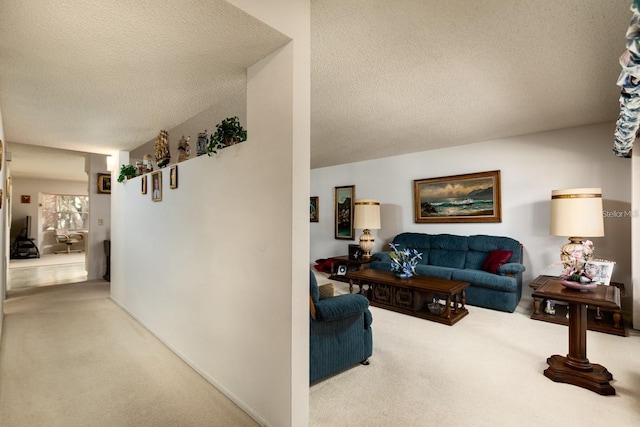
(95, 75)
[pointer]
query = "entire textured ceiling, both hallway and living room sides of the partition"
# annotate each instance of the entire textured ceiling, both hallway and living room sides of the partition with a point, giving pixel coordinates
(388, 77)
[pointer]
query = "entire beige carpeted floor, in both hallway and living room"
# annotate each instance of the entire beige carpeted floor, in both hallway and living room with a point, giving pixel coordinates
(71, 357)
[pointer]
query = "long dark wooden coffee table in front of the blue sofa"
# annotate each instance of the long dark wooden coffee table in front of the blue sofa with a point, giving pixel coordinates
(412, 296)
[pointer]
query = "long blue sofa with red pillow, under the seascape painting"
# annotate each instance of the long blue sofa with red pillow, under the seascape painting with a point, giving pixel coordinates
(455, 257)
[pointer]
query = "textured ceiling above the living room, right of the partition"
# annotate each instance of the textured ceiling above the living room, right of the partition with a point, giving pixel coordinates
(395, 77)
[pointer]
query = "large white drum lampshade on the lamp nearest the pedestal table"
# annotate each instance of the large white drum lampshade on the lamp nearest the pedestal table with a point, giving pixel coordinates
(577, 212)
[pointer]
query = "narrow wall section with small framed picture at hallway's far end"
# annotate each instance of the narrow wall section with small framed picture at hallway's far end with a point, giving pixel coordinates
(99, 218)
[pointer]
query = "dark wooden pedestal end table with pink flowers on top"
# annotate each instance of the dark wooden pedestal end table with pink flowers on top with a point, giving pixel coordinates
(575, 368)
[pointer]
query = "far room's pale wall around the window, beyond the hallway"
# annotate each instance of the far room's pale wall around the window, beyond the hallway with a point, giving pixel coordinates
(33, 187)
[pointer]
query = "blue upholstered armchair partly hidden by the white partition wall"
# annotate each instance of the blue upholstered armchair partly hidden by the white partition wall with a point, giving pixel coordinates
(340, 332)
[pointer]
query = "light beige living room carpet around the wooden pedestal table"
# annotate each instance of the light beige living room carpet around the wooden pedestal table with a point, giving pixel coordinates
(487, 370)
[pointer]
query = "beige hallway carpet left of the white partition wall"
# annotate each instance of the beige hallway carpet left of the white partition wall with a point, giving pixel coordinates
(72, 357)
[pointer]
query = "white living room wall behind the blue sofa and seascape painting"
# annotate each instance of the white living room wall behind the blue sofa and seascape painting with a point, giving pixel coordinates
(531, 167)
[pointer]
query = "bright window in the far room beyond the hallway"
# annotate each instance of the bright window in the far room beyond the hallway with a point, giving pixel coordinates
(64, 211)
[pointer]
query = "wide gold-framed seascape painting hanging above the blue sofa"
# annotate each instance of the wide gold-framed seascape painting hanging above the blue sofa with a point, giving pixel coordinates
(472, 197)
